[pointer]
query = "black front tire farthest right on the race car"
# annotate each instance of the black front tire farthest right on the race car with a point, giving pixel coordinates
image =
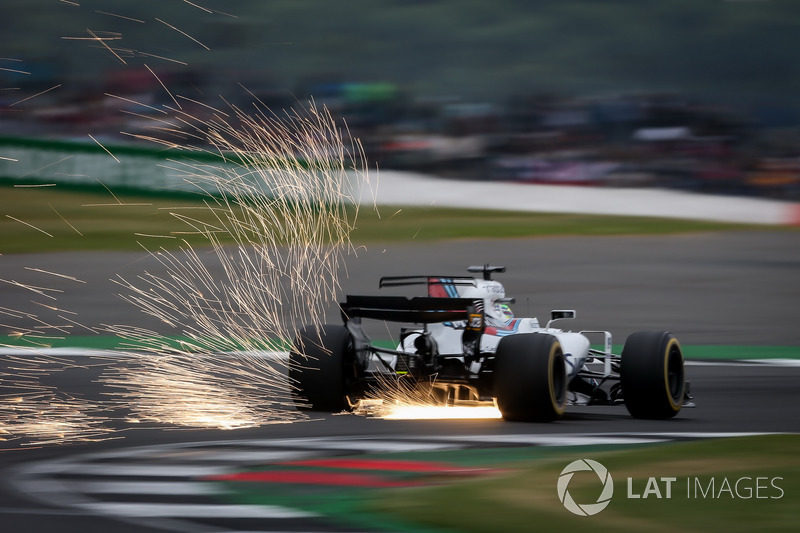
(652, 375)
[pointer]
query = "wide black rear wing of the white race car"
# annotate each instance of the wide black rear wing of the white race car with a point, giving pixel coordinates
(418, 310)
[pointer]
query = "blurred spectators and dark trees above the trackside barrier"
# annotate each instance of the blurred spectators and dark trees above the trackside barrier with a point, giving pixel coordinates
(677, 93)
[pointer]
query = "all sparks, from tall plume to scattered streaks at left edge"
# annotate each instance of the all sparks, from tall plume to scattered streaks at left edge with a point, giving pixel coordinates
(285, 193)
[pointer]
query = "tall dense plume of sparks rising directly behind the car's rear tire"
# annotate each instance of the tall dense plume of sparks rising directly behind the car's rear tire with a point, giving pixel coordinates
(284, 206)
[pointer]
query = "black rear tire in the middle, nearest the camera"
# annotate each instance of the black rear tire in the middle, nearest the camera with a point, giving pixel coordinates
(530, 378)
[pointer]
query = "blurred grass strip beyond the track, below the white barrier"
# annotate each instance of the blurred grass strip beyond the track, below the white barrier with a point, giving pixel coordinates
(47, 219)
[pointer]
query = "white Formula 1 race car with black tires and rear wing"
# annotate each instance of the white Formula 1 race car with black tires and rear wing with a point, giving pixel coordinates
(467, 347)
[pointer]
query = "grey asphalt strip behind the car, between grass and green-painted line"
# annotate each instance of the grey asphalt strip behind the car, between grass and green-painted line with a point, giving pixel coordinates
(734, 288)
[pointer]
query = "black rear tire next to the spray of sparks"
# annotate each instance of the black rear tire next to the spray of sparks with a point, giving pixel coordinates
(318, 364)
